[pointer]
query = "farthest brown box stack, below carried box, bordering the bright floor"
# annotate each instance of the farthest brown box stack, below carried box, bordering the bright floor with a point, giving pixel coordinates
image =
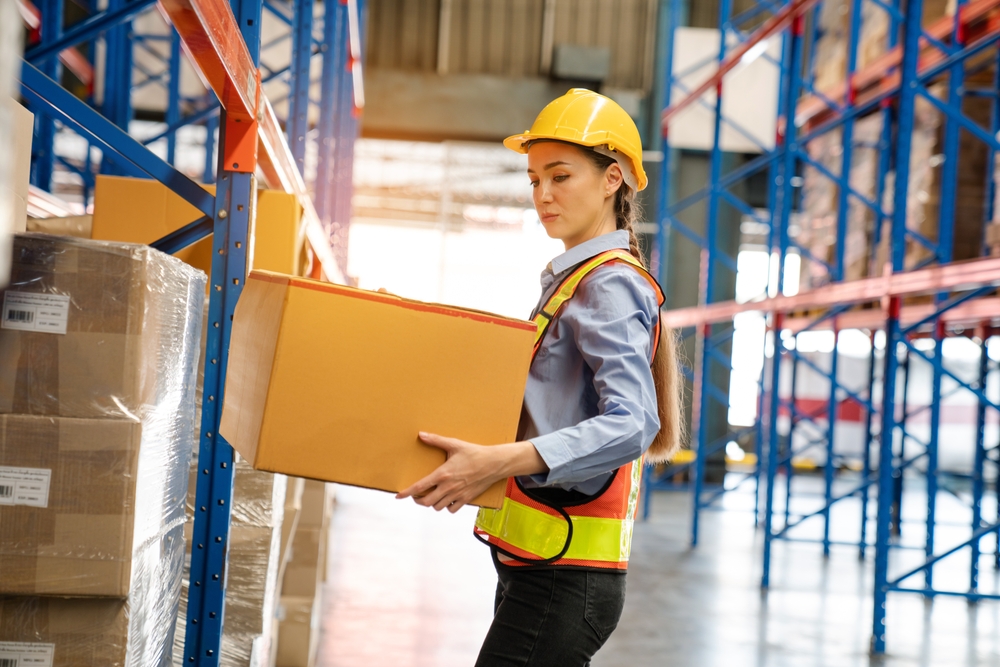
(302, 586)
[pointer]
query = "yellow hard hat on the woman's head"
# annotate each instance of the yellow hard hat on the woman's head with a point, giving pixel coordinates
(586, 118)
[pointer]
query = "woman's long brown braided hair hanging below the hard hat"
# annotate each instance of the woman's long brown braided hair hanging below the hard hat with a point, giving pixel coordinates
(666, 366)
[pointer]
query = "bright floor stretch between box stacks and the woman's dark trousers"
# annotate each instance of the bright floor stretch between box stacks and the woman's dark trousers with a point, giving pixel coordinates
(407, 587)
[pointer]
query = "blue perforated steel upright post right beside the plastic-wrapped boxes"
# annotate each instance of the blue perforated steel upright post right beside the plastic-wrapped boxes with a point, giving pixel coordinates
(235, 208)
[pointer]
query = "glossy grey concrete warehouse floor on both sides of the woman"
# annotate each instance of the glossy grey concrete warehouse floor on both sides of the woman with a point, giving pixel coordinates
(412, 588)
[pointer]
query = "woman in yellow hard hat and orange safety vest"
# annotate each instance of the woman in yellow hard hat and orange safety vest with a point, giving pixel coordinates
(602, 396)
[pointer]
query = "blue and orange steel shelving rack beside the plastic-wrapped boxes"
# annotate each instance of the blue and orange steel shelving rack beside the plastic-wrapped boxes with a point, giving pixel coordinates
(222, 41)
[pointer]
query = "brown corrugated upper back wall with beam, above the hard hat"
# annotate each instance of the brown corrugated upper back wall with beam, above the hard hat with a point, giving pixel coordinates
(482, 69)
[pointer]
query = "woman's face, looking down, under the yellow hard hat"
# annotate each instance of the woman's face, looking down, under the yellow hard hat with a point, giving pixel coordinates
(573, 197)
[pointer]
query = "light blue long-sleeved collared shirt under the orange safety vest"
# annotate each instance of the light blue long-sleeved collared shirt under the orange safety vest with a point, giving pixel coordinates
(590, 402)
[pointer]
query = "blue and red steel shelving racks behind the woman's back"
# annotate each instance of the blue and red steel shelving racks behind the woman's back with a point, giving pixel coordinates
(934, 298)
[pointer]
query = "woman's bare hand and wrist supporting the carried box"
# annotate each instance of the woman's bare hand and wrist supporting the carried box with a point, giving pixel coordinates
(470, 470)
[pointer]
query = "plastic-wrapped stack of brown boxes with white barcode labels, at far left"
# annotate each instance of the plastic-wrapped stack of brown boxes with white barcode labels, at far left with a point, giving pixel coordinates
(98, 346)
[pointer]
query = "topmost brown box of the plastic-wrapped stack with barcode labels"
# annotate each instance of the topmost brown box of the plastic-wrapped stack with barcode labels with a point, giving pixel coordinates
(97, 330)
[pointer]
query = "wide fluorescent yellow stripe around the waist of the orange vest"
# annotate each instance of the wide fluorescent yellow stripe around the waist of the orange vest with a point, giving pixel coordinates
(544, 535)
